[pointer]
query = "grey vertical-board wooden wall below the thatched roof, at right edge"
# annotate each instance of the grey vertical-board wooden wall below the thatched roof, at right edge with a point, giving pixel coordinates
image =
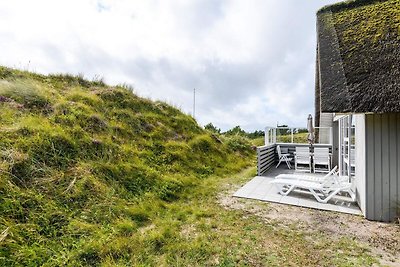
(382, 166)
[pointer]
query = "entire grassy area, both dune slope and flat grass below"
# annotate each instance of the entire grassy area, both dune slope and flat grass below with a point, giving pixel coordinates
(92, 175)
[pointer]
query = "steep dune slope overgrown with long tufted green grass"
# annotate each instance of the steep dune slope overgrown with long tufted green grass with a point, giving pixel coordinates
(79, 159)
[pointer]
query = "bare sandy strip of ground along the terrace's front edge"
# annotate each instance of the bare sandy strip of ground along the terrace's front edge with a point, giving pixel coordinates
(383, 239)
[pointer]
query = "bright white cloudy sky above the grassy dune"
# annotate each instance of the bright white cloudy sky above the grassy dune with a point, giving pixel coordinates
(251, 62)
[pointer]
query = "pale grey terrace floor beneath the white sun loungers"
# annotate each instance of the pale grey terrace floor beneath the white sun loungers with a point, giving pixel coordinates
(259, 188)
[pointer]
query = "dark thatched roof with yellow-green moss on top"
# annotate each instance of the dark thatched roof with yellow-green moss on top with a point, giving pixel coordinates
(358, 57)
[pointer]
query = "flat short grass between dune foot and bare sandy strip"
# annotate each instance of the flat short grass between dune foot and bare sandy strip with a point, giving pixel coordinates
(196, 231)
